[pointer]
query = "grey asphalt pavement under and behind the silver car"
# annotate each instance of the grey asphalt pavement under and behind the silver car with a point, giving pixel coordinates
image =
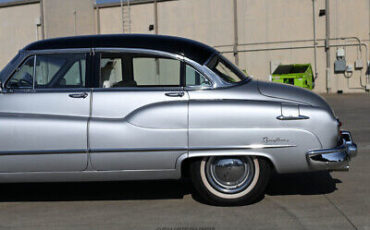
(337, 200)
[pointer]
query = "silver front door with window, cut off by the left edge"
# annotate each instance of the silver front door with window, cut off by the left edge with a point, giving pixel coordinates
(44, 109)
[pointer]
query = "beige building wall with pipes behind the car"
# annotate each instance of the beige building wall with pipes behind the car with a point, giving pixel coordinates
(211, 22)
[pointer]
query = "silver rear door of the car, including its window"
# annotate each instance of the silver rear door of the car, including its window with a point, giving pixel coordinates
(139, 113)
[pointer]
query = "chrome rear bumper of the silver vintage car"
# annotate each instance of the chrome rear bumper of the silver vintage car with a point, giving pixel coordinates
(336, 159)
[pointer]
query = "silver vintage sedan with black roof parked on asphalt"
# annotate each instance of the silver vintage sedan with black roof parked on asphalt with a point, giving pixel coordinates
(143, 107)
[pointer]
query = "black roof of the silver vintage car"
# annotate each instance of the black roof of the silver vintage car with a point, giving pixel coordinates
(192, 49)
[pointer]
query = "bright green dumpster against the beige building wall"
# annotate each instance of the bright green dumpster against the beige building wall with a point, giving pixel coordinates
(297, 74)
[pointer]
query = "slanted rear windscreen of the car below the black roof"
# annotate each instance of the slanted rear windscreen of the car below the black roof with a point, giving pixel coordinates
(226, 70)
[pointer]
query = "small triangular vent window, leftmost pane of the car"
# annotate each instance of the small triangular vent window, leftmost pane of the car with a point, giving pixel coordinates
(23, 76)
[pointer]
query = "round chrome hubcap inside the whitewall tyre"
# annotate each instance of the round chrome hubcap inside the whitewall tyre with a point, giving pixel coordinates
(229, 174)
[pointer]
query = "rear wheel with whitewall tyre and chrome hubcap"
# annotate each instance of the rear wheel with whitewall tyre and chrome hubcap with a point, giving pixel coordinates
(230, 180)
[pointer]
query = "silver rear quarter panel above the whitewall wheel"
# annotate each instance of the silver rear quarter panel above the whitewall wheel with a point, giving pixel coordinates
(245, 126)
